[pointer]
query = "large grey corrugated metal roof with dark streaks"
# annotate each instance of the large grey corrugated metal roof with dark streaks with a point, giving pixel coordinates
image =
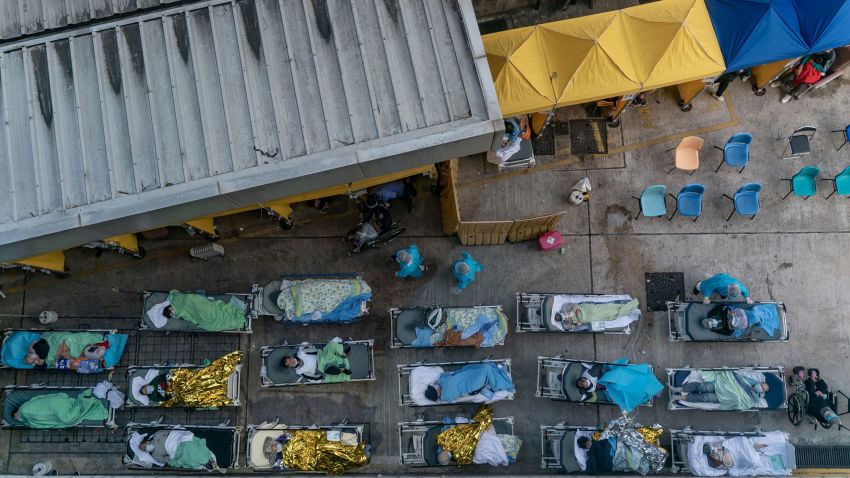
(171, 115)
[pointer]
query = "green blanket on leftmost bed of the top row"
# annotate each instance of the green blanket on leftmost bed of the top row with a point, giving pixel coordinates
(212, 315)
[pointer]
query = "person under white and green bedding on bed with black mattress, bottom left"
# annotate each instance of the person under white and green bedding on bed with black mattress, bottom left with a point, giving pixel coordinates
(175, 448)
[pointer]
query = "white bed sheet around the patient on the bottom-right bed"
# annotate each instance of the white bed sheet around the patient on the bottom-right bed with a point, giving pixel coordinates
(746, 460)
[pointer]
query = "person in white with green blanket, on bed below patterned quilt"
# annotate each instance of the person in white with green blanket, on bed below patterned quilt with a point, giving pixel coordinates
(330, 364)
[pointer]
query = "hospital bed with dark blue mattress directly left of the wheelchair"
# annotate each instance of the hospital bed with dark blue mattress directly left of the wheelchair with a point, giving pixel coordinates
(775, 397)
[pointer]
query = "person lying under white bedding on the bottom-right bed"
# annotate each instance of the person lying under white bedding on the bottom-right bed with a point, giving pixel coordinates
(739, 456)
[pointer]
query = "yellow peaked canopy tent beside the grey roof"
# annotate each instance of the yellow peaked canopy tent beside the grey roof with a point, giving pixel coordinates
(601, 56)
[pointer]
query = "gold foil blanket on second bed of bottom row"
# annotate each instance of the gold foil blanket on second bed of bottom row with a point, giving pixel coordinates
(310, 450)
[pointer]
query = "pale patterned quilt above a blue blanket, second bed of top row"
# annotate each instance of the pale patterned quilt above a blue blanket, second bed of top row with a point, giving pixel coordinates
(307, 296)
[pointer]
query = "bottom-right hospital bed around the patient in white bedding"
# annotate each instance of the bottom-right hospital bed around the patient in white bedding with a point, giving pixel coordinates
(681, 439)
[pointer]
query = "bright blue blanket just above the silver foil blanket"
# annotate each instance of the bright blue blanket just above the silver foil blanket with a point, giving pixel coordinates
(631, 385)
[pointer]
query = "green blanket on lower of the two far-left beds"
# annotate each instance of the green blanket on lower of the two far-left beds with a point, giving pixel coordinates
(58, 410)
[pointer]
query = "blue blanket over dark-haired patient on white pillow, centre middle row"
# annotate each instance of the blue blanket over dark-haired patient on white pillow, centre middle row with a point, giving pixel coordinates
(487, 378)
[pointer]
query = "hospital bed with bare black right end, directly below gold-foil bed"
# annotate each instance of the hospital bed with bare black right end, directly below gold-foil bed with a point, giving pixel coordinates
(223, 441)
